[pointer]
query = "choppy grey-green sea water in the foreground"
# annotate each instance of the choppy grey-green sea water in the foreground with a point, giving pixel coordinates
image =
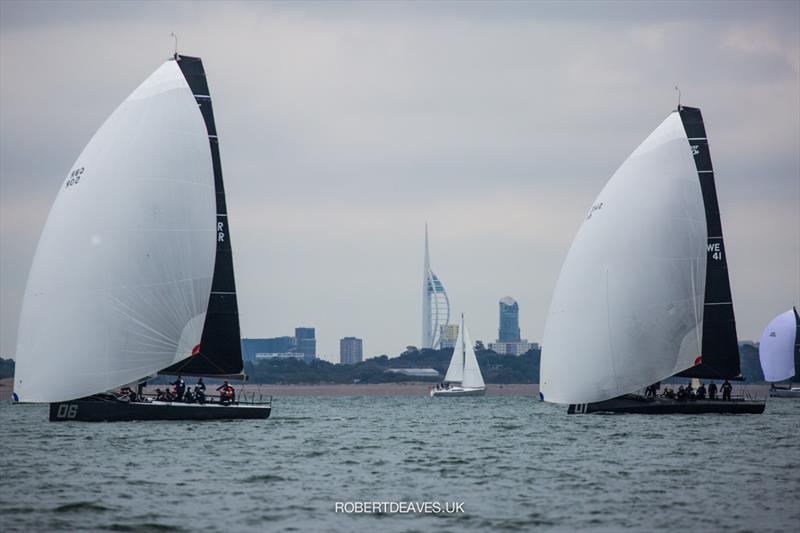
(518, 465)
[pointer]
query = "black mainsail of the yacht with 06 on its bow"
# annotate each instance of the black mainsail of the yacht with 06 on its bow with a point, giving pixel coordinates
(220, 351)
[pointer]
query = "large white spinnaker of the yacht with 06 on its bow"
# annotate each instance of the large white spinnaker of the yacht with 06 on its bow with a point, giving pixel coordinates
(121, 277)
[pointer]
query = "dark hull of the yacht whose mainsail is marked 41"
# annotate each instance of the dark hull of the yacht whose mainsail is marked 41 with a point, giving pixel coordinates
(663, 406)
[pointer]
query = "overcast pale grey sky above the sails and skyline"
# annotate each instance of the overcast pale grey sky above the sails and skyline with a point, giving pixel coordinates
(345, 126)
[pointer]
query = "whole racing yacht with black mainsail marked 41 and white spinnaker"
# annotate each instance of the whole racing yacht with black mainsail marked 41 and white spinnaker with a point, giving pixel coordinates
(644, 292)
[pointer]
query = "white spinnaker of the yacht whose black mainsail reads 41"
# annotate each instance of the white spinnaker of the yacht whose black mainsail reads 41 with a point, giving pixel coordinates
(628, 306)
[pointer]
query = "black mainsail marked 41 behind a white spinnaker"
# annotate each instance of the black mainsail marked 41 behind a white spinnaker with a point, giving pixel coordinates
(720, 346)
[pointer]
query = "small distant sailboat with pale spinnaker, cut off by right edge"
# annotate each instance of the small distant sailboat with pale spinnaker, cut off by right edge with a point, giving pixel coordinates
(779, 352)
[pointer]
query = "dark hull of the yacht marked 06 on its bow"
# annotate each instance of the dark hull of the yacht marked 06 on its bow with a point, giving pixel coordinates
(88, 410)
